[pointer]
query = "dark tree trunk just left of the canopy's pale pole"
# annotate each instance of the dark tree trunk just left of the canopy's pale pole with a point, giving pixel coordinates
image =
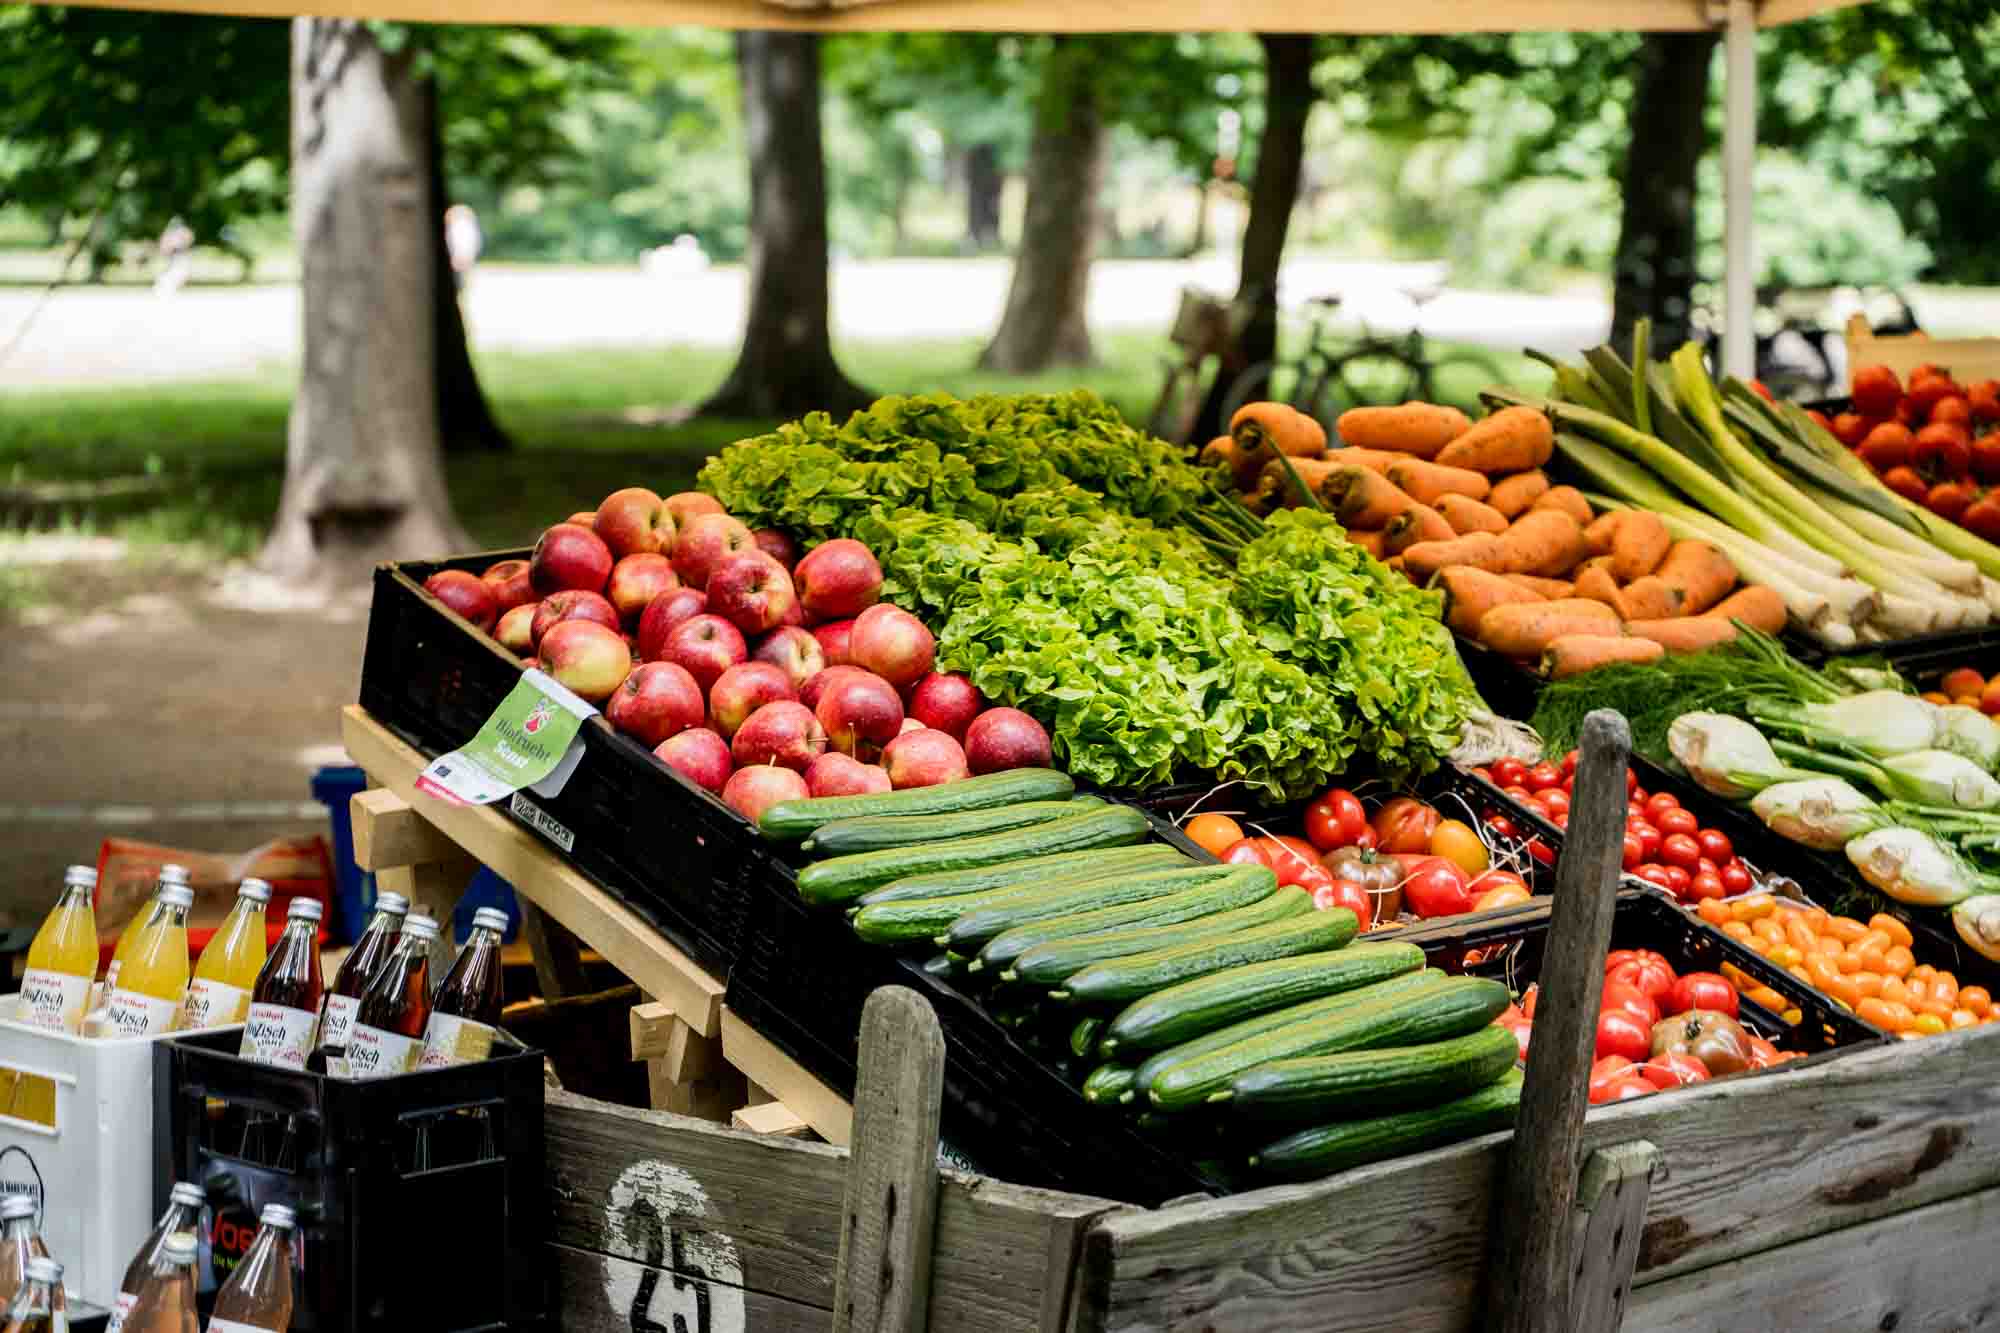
(1655, 267)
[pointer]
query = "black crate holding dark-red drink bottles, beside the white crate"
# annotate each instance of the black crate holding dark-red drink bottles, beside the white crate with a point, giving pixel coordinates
(423, 1200)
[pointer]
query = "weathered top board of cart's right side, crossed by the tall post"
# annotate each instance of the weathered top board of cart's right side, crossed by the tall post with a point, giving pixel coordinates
(1751, 1164)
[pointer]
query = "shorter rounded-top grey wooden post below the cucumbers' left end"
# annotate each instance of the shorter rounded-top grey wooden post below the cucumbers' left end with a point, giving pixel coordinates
(889, 1224)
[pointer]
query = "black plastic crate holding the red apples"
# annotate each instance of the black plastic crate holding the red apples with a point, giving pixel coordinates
(661, 844)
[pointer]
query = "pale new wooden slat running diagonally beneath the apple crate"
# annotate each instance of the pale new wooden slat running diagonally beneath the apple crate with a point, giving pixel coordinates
(545, 880)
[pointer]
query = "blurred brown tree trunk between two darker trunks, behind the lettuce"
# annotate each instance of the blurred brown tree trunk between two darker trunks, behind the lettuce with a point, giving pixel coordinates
(1045, 305)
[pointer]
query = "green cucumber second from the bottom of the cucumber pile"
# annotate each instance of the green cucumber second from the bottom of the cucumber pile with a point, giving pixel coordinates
(1329, 1088)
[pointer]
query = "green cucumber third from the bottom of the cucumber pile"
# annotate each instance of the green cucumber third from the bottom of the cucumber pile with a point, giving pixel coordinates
(1407, 1020)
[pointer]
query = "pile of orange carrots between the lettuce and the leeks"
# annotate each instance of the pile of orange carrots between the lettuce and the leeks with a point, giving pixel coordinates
(1525, 565)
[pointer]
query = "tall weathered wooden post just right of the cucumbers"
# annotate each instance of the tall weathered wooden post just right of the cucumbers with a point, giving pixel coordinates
(1529, 1264)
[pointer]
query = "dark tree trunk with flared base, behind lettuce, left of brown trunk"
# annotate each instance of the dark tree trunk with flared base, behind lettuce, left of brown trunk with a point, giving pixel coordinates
(787, 363)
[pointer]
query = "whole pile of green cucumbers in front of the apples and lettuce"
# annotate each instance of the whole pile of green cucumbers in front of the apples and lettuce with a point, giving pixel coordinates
(1215, 1008)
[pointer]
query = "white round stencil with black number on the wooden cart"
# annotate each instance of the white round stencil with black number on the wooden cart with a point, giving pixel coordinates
(691, 1280)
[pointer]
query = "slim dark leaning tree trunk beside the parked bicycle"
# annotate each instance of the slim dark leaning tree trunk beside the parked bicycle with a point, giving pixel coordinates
(1281, 157)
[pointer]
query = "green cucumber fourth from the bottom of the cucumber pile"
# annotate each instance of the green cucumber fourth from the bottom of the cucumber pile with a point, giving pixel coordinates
(1179, 1014)
